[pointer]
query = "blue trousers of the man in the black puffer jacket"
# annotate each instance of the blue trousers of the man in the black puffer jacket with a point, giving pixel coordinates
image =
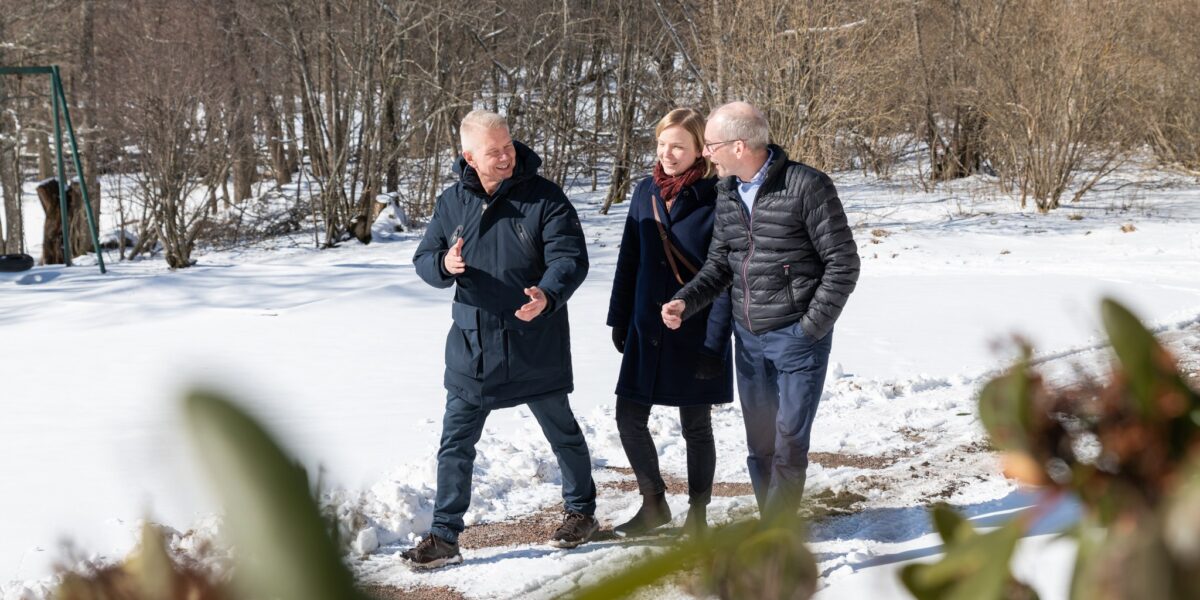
(781, 376)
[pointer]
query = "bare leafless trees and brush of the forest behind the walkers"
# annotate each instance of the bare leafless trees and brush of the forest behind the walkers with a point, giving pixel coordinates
(214, 107)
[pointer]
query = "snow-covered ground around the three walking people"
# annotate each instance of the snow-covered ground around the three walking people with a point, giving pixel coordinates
(340, 353)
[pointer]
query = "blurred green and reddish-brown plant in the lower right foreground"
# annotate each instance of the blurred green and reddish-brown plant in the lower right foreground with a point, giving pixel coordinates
(1130, 452)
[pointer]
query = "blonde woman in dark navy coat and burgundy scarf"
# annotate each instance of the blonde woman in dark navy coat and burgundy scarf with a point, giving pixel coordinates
(667, 239)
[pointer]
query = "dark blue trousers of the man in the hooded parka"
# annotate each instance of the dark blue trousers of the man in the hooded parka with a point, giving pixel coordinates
(461, 428)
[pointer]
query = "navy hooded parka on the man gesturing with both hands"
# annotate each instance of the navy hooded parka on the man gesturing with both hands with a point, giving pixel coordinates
(525, 235)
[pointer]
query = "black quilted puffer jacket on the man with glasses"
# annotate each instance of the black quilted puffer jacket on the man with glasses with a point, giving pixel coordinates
(794, 259)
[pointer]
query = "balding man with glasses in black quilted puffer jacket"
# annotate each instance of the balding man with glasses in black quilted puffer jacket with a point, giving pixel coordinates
(782, 239)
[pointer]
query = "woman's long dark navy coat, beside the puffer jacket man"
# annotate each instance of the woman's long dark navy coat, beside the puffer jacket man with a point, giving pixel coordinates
(659, 367)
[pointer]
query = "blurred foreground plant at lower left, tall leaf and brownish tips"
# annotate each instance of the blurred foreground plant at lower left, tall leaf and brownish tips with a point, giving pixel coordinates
(284, 548)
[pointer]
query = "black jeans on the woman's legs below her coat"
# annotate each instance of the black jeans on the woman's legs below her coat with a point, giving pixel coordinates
(644, 458)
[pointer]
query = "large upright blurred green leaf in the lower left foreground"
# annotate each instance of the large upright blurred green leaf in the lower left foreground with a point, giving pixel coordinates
(283, 543)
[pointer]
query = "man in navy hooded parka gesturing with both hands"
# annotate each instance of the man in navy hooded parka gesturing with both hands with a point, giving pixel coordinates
(512, 244)
